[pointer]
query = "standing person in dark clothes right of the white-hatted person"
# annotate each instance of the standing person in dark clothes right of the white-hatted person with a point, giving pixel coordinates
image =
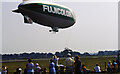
(77, 65)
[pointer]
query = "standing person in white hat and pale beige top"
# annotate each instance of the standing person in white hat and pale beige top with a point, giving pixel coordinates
(69, 64)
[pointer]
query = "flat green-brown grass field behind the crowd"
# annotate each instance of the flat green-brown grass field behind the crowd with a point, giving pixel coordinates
(90, 63)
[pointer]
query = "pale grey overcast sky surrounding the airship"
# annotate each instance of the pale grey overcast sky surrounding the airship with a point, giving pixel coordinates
(96, 29)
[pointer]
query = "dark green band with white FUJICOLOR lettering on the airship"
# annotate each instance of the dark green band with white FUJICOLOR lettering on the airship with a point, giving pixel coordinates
(52, 10)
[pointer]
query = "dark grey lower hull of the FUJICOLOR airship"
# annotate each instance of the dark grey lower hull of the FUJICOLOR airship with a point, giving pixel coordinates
(48, 20)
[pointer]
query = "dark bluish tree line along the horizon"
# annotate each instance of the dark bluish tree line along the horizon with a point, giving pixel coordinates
(61, 54)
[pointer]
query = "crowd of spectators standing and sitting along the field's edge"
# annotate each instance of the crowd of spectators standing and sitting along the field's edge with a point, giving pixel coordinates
(71, 65)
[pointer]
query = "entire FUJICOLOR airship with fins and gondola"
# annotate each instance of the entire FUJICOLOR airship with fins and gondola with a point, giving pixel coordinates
(47, 14)
